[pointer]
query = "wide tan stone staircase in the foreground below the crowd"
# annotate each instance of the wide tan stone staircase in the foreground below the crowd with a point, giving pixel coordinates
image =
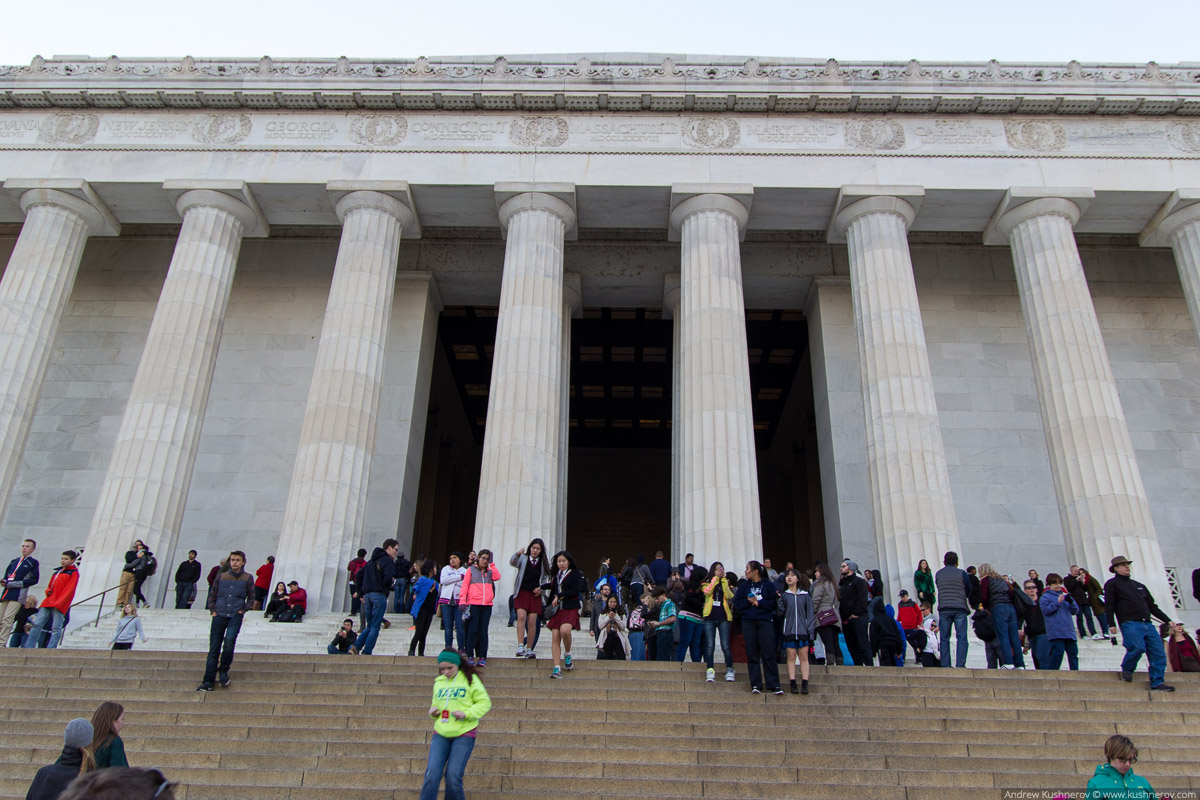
(320, 727)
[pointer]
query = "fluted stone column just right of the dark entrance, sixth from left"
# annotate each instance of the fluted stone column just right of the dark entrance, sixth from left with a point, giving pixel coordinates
(907, 461)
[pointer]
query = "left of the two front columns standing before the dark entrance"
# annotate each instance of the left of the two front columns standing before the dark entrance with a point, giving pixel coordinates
(520, 478)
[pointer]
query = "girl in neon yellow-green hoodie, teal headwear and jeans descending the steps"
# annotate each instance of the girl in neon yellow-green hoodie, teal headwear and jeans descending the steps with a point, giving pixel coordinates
(460, 701)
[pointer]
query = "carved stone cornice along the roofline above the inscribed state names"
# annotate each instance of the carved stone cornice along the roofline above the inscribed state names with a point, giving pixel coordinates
(615, 83)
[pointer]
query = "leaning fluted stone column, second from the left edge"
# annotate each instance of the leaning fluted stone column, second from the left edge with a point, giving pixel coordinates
(148, 478)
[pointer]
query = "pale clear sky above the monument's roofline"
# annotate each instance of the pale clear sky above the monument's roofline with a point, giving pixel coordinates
(1107, 32)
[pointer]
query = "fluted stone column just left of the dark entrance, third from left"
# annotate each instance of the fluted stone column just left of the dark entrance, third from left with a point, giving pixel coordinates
(323, 521)
